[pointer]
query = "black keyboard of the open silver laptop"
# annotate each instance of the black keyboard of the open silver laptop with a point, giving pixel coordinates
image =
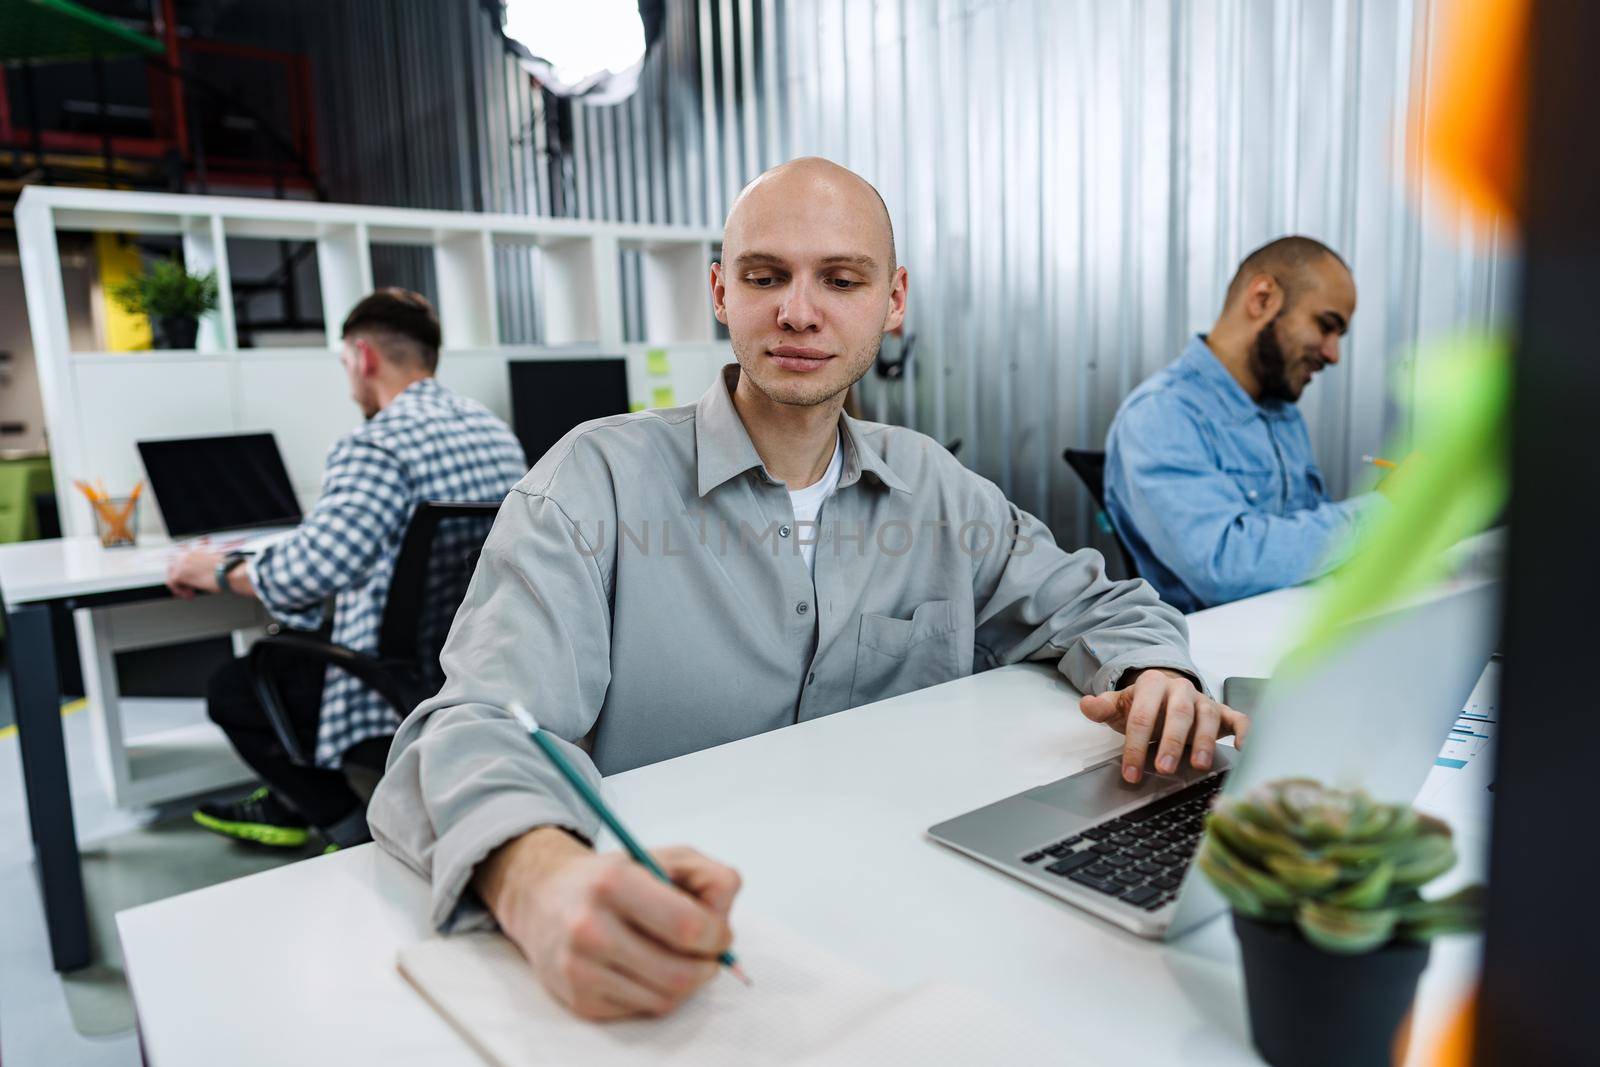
(1138, 858)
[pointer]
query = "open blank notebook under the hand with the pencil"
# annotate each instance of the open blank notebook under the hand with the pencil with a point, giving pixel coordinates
(804, 1009)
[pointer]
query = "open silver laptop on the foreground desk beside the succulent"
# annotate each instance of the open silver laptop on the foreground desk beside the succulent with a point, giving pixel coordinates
(1374, 714)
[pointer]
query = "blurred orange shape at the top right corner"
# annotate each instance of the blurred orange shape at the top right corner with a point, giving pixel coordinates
(1474, 118)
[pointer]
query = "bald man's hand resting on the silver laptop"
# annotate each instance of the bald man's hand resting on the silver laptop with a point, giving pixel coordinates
(1166, 706)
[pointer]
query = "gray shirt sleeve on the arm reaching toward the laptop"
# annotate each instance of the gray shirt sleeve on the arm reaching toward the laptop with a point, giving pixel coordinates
(1033, 601)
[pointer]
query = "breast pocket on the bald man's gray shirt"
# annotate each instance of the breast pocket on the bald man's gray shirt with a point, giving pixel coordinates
(900, 657)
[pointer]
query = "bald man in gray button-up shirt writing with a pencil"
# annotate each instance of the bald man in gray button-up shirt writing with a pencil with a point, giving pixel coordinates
(649, 593)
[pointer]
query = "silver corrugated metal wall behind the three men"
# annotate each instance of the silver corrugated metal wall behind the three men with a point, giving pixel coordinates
(1073, 183)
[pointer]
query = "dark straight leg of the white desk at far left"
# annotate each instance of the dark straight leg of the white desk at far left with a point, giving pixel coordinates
(44, 748)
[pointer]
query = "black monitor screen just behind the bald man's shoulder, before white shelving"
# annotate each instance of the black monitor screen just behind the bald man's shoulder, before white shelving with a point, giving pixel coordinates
(550, 398)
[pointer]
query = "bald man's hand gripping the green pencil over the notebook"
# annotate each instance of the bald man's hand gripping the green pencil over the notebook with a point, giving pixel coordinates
(607, 938)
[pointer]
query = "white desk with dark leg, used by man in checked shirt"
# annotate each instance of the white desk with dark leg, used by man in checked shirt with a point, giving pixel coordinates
(119, 602)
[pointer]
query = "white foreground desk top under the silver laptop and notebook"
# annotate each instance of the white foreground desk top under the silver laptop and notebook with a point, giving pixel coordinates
(826, 825)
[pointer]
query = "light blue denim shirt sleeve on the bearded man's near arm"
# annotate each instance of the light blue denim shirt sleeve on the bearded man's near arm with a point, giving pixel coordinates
(1199, 524)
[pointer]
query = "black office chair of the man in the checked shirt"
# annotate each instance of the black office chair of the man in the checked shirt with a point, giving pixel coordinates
(436, 562)
